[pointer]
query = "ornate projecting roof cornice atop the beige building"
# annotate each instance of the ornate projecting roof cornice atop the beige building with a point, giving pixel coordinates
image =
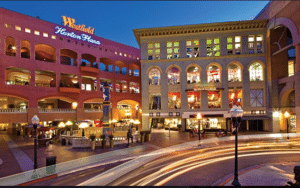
(199, 28)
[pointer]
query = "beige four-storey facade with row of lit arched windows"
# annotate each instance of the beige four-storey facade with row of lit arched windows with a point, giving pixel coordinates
(204, 68)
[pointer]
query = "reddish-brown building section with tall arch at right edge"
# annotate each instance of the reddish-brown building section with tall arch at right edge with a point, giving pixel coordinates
(283, 63)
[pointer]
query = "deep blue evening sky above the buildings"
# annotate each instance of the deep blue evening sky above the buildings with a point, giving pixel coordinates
(114, 20)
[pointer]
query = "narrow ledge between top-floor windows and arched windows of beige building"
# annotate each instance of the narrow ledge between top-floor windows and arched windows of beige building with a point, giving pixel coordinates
(202, 58)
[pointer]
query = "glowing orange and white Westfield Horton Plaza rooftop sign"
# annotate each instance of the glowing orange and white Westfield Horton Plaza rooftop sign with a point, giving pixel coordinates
(84, 37)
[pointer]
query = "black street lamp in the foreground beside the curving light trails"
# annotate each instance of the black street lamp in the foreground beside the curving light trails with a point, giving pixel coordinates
(236, 116)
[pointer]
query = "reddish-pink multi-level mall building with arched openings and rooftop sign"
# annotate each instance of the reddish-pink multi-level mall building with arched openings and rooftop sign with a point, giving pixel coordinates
(57, 71)
